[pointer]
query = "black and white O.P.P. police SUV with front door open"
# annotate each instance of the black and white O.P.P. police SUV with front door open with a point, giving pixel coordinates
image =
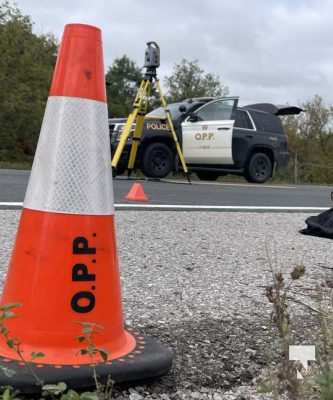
(217, 138)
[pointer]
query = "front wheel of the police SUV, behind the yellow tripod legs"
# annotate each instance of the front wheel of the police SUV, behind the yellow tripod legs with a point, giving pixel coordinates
(157, 160)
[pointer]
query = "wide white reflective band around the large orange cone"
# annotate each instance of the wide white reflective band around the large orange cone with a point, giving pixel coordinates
(72, 170)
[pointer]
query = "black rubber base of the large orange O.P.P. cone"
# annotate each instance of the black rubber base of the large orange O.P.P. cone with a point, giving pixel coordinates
(149, 359)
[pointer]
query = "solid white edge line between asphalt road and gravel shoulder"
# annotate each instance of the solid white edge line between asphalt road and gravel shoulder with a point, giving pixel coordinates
(184, 207)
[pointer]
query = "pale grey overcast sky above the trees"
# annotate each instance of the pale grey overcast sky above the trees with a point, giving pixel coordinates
(264, 50)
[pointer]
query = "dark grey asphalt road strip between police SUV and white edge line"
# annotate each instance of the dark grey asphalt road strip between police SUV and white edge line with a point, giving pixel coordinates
(13, 185)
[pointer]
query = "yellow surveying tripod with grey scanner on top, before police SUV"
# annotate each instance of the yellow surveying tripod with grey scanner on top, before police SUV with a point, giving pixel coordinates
(140, 109)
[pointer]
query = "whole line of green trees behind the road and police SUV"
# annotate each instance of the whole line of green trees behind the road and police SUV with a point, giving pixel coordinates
(26, 64)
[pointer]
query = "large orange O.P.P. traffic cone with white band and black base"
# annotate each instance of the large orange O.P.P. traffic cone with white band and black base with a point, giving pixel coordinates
(64, 268)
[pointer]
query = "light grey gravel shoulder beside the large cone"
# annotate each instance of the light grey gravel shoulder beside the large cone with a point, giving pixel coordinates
(196, 281)
